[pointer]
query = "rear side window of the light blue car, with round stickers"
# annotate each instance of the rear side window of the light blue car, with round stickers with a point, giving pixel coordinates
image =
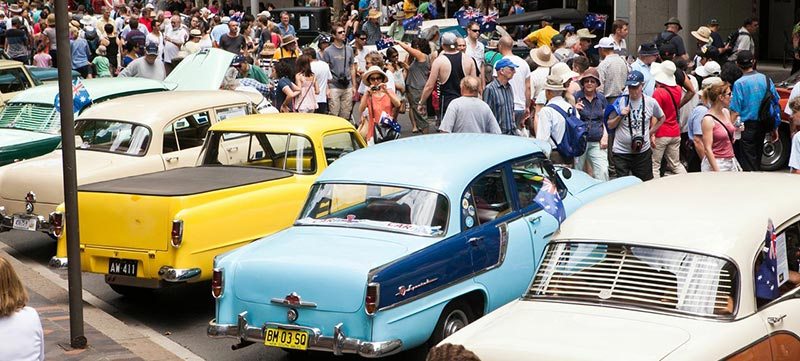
(486, 199)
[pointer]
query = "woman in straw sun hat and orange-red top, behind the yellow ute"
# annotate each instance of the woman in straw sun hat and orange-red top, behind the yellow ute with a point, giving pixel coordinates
(378, 100)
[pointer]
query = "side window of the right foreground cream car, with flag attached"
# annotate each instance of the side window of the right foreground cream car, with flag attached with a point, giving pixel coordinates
(763, 271)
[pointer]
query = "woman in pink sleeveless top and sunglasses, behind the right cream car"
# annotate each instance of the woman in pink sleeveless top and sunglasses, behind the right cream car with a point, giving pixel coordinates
(718, 131)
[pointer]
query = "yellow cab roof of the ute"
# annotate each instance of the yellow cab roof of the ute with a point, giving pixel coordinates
(298, 123)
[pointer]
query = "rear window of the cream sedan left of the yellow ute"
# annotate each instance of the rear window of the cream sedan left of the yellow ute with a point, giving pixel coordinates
(112, 136)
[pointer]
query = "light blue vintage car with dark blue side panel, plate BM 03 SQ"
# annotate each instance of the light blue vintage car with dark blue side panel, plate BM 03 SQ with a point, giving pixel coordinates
(398, 245)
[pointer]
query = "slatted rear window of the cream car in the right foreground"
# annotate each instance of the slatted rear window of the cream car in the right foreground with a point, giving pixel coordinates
(637, 277)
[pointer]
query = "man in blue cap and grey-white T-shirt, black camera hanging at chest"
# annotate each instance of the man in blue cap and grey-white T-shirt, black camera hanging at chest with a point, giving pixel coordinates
(635, 119)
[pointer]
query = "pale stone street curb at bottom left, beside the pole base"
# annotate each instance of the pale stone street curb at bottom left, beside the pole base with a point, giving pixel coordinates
(137, 338)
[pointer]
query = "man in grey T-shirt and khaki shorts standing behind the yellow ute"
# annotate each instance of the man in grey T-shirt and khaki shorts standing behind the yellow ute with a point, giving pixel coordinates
(340, 58)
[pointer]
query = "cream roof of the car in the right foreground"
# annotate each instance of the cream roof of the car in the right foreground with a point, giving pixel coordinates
(720, 213)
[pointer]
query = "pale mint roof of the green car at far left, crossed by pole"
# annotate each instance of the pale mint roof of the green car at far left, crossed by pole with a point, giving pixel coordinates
(98, 88)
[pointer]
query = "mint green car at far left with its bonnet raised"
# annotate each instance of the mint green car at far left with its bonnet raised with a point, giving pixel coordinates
(31, 126)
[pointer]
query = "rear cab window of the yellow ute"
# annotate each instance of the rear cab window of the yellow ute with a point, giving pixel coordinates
(291, 152)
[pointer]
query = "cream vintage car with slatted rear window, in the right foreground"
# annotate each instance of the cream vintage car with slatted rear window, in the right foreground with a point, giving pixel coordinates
(665, 270)
